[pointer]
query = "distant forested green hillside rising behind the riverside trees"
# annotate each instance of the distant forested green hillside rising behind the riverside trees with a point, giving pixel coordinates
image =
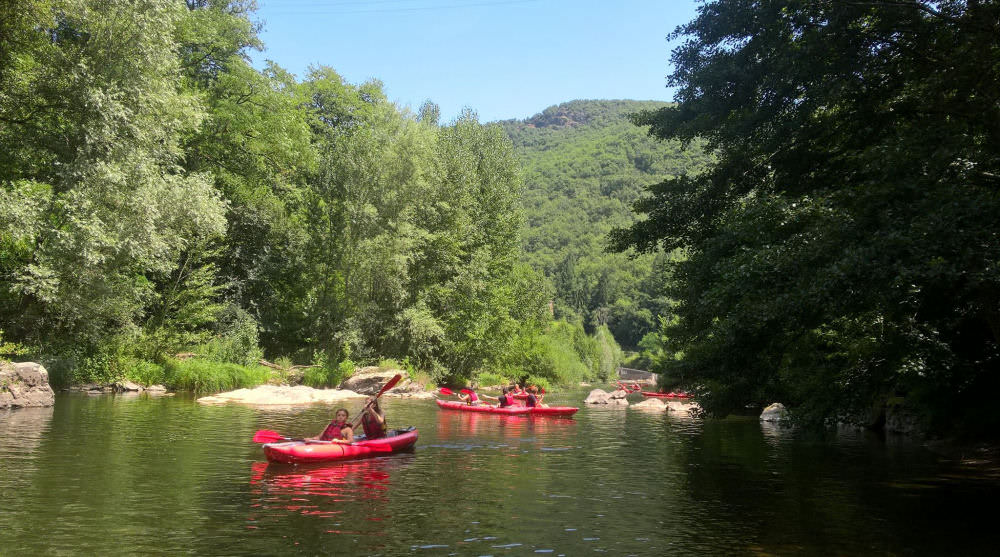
(585, 164)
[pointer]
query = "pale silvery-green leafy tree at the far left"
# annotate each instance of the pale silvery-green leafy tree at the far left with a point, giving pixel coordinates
(94, 113)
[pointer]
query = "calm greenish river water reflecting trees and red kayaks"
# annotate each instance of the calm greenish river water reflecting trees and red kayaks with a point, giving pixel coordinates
(108, 474)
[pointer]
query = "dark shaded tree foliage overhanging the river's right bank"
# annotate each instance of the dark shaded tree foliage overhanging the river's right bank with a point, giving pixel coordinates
(843, 246)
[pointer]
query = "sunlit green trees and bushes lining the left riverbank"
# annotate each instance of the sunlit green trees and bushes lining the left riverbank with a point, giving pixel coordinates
(159, 195)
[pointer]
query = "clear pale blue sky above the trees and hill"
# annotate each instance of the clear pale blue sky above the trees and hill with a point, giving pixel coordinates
(502, 58)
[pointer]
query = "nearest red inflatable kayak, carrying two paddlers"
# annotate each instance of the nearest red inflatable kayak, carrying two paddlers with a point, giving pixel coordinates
(298, 452)
